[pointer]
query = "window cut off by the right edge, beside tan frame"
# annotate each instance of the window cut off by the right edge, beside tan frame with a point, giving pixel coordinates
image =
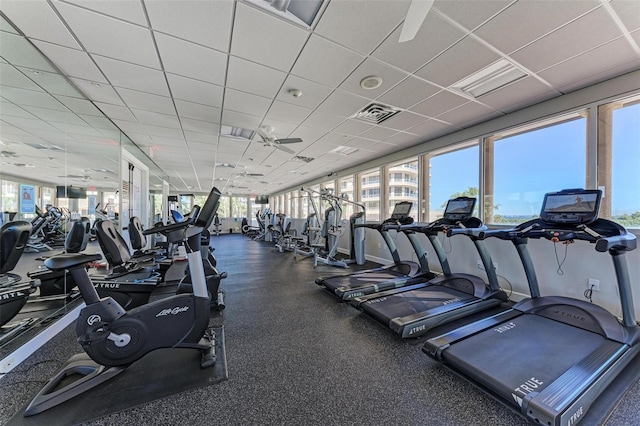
(618, 154)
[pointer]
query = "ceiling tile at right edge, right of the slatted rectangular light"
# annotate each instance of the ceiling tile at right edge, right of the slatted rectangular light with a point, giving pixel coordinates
(591, 67)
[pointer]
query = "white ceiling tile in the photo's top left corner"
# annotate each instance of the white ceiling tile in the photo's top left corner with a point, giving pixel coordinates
(37, 20)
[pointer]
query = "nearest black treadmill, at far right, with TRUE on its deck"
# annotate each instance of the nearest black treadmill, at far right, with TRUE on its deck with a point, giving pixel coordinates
(550, 357)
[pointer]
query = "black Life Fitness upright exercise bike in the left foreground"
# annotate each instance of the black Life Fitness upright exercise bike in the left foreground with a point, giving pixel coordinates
(115, 338)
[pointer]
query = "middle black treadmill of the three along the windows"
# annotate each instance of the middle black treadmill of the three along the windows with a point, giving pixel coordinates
(413, 310)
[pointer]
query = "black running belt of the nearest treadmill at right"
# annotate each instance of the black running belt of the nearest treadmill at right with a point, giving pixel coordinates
(523, 355)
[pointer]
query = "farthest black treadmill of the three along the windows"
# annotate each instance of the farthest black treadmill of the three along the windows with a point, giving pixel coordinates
(397, 274)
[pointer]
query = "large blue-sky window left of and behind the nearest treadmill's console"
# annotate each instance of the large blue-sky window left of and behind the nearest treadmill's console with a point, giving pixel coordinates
(523, 165)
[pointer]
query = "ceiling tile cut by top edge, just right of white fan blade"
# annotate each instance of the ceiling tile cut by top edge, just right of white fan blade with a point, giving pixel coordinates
(470, 13)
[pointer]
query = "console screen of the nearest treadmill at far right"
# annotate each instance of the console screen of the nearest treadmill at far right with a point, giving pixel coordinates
(571, 206)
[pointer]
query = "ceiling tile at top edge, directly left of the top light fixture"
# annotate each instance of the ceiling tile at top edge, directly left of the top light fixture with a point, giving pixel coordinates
(204, 22)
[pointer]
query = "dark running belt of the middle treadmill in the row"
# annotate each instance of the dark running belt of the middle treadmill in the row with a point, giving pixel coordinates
(398, 305)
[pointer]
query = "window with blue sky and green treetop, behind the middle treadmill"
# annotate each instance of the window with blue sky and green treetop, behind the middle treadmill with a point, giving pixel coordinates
(452, 173)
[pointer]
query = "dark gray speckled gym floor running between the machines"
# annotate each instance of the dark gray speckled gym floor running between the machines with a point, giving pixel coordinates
(296, 356)
